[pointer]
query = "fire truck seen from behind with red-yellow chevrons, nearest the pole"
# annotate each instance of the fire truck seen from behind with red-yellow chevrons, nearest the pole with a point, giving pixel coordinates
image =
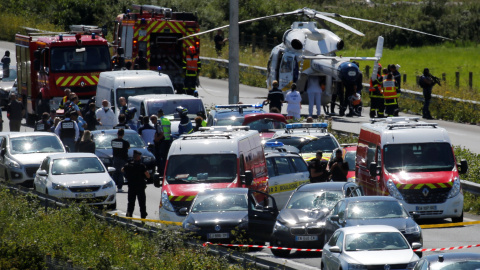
(155, 31)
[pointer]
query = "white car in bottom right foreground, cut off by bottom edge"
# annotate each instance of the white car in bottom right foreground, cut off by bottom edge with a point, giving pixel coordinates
(368, 247)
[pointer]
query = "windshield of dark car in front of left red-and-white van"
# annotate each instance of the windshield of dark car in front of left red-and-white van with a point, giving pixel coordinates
(220, 202)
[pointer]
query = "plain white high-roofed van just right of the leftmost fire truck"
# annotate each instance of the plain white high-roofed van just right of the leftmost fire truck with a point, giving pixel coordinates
(127, 83)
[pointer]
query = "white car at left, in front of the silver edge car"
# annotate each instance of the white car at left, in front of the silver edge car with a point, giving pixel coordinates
(77, 177)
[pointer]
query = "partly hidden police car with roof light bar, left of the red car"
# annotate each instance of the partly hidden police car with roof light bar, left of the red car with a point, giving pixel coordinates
(232, 114)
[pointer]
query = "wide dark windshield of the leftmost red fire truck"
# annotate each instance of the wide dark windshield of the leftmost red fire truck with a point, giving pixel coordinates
(80, 59)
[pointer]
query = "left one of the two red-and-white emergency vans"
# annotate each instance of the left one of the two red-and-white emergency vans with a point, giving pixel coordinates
(213, 158)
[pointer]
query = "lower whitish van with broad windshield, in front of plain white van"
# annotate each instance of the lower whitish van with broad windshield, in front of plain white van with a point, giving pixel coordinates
(150, 104)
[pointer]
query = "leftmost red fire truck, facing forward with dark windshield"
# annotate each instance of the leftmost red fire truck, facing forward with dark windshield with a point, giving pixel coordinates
(49, 63)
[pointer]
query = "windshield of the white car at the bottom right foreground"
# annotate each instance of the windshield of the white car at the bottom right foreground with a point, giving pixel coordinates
(375, 241)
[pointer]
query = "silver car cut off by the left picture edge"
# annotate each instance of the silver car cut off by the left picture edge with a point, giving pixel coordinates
(22, 152)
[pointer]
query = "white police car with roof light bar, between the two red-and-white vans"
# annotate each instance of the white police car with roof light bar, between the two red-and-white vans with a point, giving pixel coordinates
(308, 138)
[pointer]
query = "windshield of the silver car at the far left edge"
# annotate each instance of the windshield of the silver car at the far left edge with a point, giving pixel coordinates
(35, 144)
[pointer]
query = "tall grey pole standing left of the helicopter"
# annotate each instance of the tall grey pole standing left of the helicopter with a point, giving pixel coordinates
(233, 55)
